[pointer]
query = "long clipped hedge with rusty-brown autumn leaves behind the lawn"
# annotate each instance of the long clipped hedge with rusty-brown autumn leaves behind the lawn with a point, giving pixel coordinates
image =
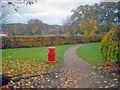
(38, 41)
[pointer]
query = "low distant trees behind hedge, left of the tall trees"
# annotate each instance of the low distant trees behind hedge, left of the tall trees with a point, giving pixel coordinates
(33, 27)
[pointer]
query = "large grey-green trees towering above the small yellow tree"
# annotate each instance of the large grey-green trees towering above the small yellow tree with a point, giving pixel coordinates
(104, 15)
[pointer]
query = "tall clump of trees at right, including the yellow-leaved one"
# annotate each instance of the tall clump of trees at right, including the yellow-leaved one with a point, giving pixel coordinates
(92, 19)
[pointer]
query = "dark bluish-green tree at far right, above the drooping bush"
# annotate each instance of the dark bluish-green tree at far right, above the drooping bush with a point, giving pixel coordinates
(108, 15)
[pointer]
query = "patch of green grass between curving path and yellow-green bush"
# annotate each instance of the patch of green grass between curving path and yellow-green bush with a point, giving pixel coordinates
(90, 53)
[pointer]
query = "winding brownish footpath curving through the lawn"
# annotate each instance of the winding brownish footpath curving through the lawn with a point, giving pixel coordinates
(80, 74)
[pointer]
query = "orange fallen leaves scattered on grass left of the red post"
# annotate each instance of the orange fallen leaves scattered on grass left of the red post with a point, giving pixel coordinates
(20, 66)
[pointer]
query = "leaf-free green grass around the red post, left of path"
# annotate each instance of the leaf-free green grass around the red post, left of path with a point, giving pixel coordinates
(38, 53)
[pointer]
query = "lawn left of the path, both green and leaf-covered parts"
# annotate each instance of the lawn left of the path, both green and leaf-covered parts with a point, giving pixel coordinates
(22, 60)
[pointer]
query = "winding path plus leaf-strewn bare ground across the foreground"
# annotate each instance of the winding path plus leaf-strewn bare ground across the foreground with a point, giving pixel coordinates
(74, 73)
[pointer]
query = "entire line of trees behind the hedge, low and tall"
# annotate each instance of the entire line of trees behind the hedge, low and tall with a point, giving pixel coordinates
(85, 20)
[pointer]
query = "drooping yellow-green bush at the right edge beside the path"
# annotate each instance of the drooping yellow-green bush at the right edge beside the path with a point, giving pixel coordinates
(109, 46)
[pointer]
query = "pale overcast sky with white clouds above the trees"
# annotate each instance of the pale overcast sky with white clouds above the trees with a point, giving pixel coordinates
(52, 12)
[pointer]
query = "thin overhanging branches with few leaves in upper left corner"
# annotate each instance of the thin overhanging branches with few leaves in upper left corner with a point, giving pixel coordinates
(8, 7)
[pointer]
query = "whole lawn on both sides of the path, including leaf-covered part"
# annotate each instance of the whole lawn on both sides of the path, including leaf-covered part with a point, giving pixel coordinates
(28, 60)
